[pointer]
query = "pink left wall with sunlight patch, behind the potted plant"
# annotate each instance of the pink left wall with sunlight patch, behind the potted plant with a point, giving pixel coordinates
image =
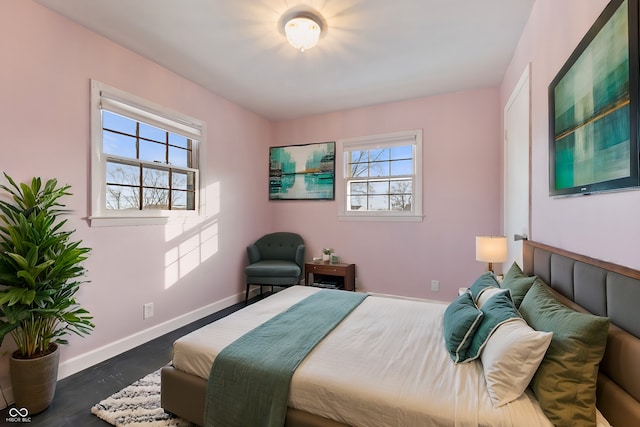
(47, 64)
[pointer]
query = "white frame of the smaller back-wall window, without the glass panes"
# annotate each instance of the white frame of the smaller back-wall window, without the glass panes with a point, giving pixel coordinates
(410, 137)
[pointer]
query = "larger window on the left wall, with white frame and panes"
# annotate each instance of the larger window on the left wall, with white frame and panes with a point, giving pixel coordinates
(145, 160)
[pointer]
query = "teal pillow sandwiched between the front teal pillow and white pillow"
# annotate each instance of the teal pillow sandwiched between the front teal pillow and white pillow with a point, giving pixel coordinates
(497, 310)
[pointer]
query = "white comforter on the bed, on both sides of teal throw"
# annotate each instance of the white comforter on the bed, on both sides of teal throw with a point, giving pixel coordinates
(384, 365)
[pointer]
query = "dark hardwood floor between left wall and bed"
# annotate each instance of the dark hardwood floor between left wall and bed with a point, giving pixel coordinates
(76, 394)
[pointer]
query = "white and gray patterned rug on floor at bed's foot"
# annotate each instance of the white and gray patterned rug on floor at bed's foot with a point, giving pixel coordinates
(137, 405)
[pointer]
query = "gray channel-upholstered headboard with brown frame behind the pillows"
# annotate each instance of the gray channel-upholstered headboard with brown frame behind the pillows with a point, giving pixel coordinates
(604, 289)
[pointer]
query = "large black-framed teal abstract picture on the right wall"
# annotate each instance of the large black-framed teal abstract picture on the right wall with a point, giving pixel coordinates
(593, 108)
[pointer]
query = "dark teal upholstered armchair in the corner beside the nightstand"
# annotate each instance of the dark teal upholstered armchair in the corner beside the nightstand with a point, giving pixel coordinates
(276, 259)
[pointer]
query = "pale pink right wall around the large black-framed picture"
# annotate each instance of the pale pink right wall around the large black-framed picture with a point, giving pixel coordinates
(604, 226)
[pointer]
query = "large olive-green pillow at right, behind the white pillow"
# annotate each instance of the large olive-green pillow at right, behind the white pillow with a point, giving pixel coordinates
(565, 382)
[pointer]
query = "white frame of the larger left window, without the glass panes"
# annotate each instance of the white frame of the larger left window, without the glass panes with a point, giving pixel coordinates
(139, 109)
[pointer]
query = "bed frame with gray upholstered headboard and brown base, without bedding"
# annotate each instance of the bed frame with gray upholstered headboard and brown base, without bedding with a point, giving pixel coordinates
(581, 282)
